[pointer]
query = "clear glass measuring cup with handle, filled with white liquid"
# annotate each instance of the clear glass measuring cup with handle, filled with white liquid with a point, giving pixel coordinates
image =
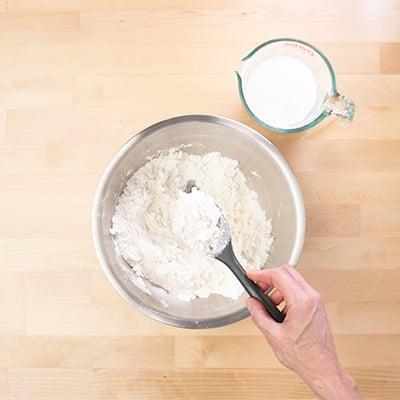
(289, 86)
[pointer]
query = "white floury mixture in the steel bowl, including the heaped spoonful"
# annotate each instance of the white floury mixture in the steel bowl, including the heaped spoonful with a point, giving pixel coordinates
(165, 233)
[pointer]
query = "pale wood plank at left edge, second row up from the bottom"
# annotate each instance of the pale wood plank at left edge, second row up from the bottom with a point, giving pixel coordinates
(83, 352)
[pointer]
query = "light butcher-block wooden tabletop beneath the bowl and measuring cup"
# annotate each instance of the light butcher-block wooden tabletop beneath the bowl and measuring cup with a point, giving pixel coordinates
(78, 78)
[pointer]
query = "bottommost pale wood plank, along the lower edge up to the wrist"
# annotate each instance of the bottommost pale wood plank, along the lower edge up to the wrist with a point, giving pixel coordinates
(144, 383)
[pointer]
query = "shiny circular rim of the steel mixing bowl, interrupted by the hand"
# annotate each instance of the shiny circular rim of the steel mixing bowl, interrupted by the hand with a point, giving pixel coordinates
(118, 157)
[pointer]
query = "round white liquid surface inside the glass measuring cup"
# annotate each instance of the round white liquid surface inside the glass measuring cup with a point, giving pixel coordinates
(281, 91)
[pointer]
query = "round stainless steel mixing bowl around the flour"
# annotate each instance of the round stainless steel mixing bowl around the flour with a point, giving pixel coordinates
(268, 174)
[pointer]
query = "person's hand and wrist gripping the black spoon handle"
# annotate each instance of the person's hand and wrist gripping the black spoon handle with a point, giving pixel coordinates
(303, 342)
